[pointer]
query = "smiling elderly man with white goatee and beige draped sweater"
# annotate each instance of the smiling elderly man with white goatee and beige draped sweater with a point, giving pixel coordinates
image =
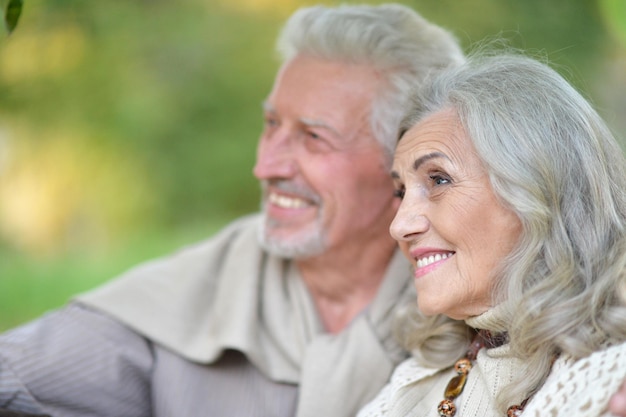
(283, 313)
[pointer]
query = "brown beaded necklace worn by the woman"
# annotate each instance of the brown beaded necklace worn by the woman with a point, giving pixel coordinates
(483, 338)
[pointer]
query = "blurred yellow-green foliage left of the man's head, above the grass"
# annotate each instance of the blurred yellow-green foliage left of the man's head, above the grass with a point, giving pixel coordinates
(122, 114)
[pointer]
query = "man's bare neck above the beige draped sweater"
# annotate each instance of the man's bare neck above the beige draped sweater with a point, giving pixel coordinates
(343, 284)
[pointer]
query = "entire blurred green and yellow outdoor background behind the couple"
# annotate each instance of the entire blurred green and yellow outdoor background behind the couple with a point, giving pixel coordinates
(128, 128)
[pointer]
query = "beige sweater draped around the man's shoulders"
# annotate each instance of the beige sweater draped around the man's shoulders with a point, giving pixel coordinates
(227, 293)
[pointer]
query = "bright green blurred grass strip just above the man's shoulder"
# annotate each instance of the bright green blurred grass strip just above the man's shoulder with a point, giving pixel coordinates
(28, 288)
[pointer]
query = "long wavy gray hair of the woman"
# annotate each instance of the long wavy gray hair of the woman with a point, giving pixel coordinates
(554, 162)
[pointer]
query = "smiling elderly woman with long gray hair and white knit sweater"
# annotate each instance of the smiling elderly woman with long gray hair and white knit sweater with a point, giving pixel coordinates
(513, 213)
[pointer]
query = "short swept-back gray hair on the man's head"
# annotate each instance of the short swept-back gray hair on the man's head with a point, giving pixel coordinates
(392, 38)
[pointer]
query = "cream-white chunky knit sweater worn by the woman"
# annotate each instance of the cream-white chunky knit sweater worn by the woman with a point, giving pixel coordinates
(574, 388)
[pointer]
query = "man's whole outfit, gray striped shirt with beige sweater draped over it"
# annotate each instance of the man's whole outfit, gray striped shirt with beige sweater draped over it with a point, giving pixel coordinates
(217, 329)
